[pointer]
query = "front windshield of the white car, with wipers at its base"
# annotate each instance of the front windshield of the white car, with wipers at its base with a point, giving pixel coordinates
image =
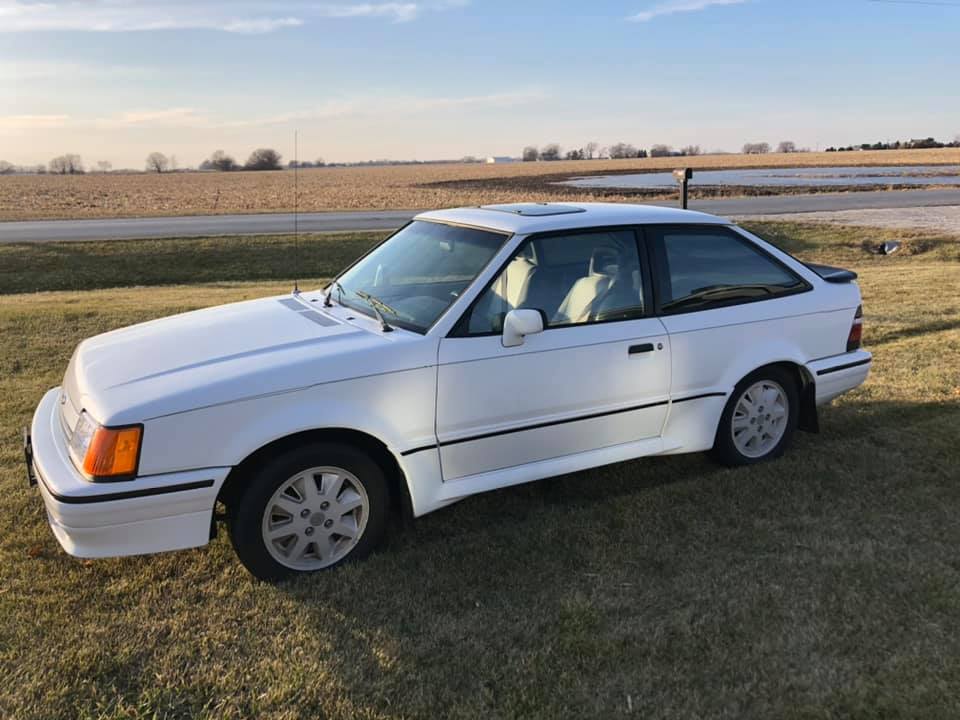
(413, 277)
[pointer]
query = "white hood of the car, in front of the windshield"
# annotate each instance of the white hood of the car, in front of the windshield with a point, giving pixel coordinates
(229, 353)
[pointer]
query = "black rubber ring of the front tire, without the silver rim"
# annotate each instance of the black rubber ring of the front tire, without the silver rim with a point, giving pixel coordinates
(246, 514)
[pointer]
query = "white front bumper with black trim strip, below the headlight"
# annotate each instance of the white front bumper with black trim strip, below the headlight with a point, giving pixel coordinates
(145, 515)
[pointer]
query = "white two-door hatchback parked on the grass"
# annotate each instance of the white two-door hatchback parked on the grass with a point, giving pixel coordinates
(474, 349)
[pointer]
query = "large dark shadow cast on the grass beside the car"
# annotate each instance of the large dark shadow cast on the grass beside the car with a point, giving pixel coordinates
(569, 592)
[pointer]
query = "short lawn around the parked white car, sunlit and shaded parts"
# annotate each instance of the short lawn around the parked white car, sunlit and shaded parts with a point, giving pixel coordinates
(825, 584)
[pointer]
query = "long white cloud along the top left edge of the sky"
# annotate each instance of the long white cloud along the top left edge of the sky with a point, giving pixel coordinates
(240, 16)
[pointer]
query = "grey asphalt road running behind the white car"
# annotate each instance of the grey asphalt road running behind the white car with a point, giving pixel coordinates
(277, 223)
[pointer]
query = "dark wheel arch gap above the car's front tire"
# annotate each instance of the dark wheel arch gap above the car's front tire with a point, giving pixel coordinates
(241, 473)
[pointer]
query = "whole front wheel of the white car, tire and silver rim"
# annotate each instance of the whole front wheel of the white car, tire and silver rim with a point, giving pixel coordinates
(310, 509)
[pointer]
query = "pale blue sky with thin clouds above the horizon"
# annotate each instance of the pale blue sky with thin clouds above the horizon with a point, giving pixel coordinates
(114, 80)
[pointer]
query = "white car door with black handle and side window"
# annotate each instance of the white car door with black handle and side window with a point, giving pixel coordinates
(597, 376)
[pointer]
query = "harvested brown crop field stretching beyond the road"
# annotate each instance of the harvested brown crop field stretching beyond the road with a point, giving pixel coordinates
(372, 188)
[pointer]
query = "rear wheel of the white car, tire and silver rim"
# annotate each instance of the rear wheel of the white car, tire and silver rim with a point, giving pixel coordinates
(748, 436)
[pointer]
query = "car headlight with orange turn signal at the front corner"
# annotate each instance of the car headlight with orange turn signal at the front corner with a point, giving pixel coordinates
(106, 453)
